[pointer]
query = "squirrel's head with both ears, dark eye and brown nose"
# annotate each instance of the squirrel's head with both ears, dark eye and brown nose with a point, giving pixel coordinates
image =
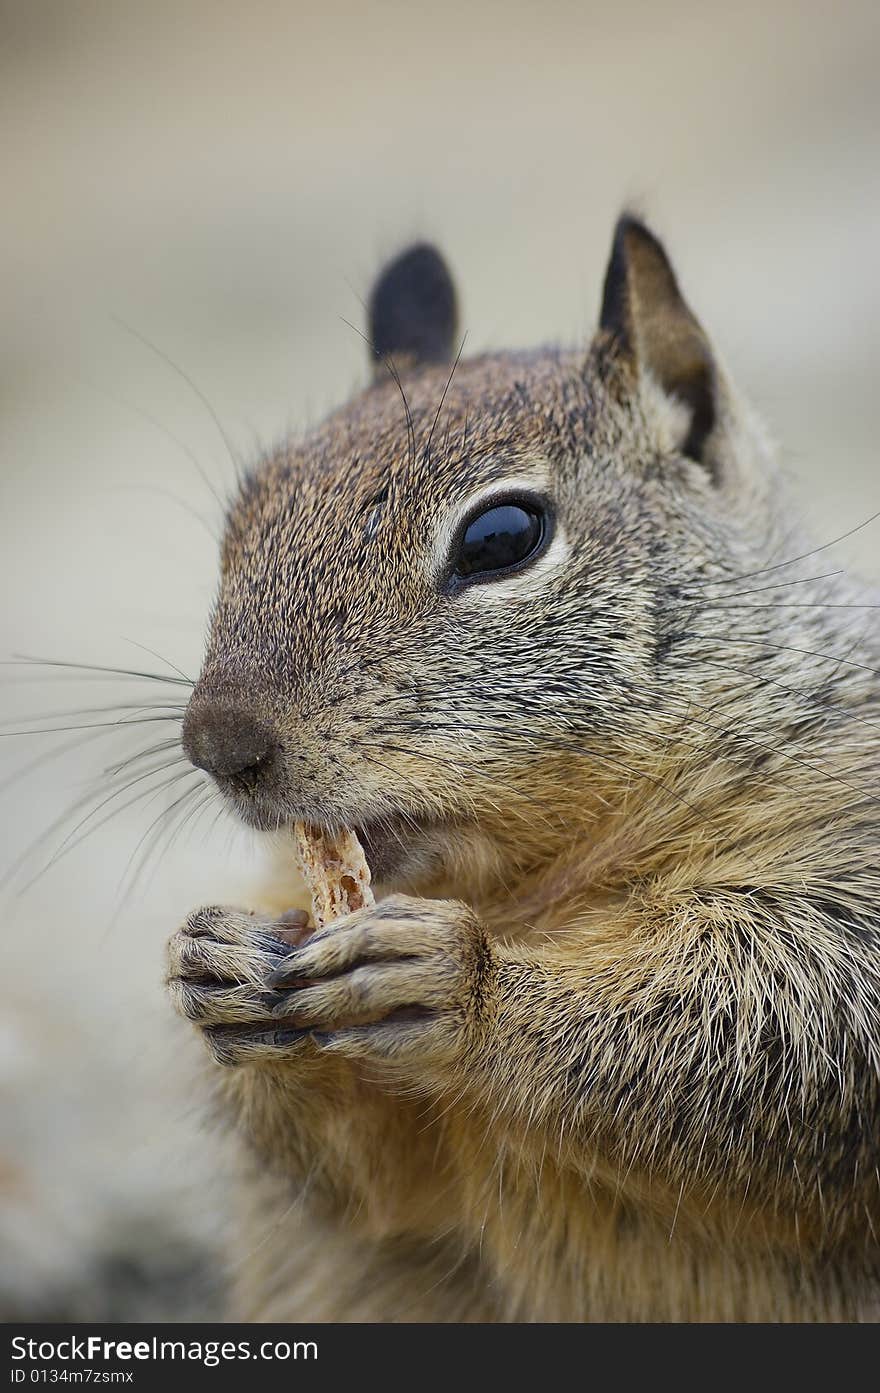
(455, 612)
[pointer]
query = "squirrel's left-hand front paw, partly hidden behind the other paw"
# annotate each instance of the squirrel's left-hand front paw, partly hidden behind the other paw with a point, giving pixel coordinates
(219, 969)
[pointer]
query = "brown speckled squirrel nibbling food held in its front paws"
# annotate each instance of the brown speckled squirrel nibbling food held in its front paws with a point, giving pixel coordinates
(541, 629)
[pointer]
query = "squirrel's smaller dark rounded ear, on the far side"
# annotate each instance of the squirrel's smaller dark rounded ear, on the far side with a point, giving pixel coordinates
(413, 311)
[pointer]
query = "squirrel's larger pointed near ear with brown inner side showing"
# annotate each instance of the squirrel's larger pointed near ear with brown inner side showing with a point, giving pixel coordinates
(644, 309)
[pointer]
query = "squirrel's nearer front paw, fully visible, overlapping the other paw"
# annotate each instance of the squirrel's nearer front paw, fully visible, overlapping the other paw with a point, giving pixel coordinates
(404, 980)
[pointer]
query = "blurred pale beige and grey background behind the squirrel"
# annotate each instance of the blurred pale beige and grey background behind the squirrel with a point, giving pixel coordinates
(194, 200)
